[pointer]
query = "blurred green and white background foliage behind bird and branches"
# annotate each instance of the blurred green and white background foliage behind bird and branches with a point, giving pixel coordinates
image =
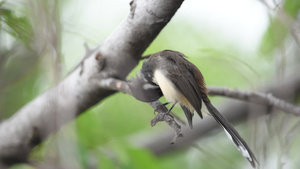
(237, 44)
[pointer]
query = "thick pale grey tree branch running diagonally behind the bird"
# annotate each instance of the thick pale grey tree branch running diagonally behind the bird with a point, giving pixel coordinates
(79, 91)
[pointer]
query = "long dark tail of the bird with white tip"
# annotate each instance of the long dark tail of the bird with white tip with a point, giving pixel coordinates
(232, 134)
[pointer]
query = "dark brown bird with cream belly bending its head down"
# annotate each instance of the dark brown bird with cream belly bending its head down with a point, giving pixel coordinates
(168, 73)
